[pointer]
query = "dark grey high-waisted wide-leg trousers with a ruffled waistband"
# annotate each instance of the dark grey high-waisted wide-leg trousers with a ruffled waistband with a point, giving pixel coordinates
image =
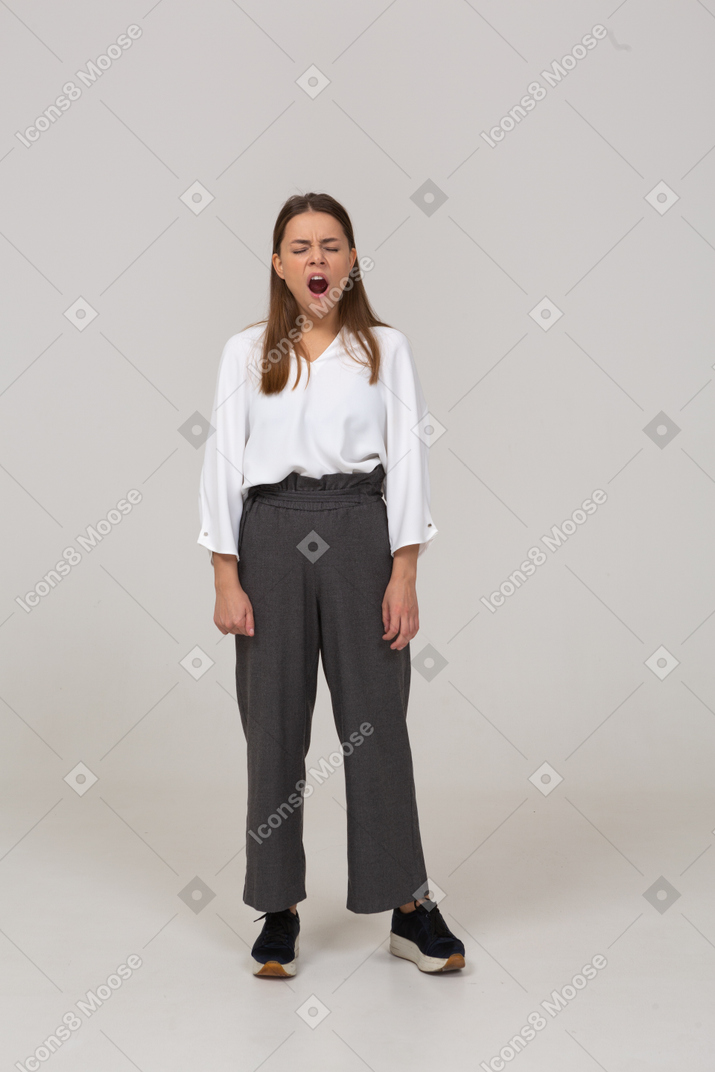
(315, 560)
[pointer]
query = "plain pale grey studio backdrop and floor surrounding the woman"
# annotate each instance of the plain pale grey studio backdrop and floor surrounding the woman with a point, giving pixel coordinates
(121, 667)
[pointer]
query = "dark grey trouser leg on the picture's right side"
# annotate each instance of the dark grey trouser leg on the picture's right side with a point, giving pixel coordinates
(369, 683)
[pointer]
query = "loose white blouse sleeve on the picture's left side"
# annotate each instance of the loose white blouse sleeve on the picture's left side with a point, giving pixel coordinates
(220, 499)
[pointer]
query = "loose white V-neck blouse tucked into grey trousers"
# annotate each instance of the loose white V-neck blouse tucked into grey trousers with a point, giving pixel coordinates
(334, 422)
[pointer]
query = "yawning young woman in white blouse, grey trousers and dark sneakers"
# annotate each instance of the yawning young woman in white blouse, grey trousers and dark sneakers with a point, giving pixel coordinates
(318, 412)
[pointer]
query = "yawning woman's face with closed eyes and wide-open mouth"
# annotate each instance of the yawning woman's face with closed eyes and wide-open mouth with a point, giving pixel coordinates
(315, 245)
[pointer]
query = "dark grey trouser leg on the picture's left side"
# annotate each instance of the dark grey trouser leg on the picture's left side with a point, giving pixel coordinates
(276, 686)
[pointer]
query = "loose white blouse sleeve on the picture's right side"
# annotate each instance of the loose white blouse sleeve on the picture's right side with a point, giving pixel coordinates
(408, 479)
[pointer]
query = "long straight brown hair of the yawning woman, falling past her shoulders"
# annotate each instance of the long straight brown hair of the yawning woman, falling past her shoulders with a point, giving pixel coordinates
(284, 324)
